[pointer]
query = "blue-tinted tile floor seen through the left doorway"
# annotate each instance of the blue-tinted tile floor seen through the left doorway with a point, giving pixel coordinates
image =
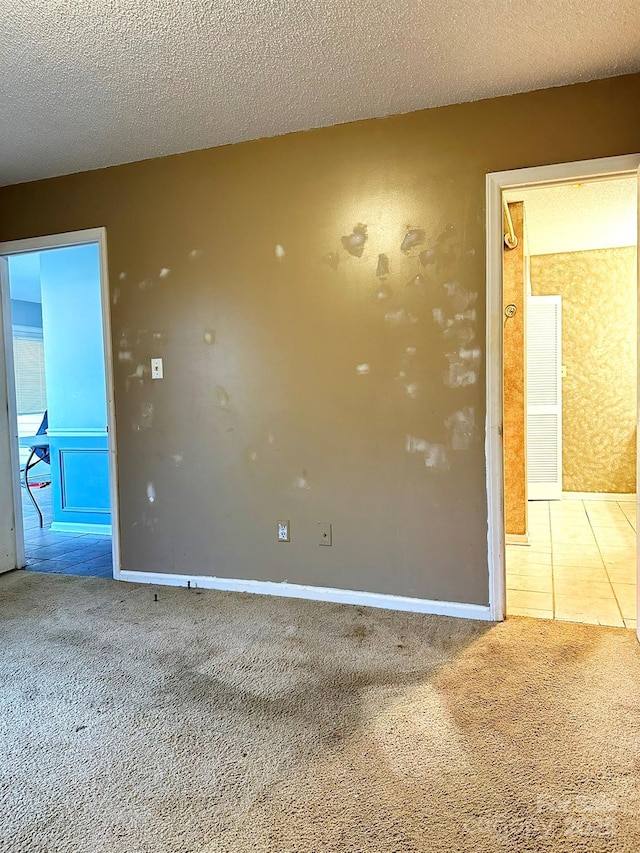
(62, 553)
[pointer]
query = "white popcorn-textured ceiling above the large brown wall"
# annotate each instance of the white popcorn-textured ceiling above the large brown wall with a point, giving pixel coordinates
(98, 82)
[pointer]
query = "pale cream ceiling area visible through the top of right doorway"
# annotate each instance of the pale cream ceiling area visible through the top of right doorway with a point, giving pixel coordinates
(578, 217)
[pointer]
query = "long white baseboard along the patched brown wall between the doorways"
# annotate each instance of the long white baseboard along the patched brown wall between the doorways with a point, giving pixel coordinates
(313, 593)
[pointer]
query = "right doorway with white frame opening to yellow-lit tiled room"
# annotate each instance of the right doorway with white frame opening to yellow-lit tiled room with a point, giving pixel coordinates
(568, 403)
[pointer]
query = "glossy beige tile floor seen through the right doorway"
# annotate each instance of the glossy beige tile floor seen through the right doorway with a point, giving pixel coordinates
(580, 565)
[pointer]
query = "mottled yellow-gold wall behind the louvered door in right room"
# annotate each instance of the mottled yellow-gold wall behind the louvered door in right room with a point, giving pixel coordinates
(598, 290)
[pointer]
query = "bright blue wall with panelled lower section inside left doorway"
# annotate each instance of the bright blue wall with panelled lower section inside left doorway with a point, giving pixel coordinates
(76, 392)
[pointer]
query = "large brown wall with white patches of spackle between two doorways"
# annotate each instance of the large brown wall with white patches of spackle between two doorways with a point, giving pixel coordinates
(304, 435)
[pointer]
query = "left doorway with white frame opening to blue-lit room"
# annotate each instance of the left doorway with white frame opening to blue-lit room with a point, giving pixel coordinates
(57, 351)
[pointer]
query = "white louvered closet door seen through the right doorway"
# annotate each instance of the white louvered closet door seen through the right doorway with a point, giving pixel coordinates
(544, 397)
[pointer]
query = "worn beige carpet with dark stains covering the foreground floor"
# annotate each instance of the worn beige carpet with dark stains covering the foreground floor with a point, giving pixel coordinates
(222, 723)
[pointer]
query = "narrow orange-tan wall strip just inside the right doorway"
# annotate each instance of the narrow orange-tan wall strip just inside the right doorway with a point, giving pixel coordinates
(515, 468)
